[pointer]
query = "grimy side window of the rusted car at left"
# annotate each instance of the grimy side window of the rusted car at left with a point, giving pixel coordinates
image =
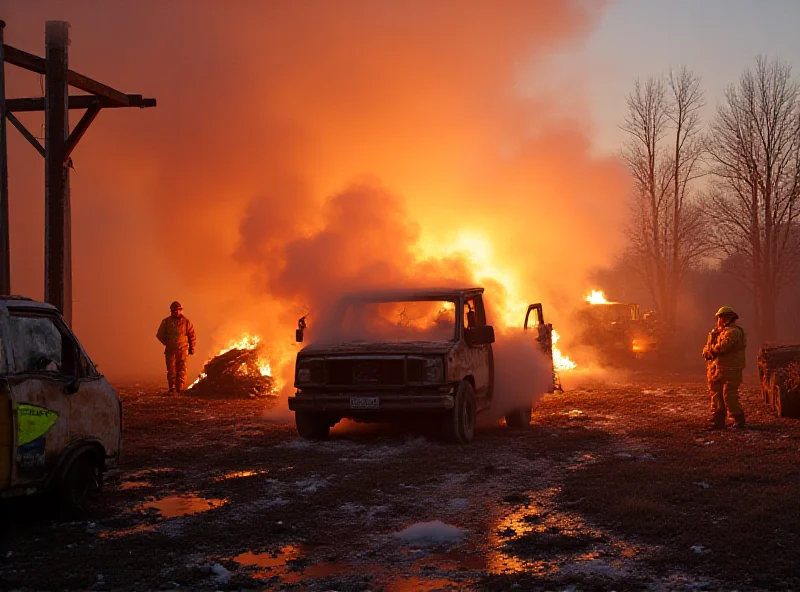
(40, 346)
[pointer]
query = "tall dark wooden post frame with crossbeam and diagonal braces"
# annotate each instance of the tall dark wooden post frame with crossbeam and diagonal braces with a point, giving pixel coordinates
(59, 144)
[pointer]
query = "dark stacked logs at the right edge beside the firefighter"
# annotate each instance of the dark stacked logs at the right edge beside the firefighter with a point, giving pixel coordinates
(779, 375)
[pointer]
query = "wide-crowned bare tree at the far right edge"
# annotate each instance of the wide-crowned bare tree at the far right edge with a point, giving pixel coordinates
(754, 148)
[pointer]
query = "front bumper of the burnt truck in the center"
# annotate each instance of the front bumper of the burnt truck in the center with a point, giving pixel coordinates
(359, 403)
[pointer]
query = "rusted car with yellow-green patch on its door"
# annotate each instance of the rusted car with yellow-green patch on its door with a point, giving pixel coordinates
(60, 419)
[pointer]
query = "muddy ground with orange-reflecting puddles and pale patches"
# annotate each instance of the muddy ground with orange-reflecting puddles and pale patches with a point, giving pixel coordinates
(613, 487)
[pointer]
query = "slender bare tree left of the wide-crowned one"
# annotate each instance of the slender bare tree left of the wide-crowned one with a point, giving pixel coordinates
(663, 154)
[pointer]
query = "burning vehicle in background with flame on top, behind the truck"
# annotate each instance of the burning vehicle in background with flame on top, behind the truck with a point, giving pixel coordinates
(618, 332)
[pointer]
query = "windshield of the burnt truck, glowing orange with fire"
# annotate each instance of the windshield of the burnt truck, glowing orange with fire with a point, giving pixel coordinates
(397, 321)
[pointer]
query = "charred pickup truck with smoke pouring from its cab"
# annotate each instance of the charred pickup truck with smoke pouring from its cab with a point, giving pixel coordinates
(382, 357)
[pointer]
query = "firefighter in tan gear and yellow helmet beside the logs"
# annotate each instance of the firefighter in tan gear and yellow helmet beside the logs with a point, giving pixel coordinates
(725, 359)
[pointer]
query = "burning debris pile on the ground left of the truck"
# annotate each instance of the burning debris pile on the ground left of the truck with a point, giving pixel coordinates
(241, 370)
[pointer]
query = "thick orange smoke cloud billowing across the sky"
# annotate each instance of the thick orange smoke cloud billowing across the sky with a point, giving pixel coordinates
(304, 149)
